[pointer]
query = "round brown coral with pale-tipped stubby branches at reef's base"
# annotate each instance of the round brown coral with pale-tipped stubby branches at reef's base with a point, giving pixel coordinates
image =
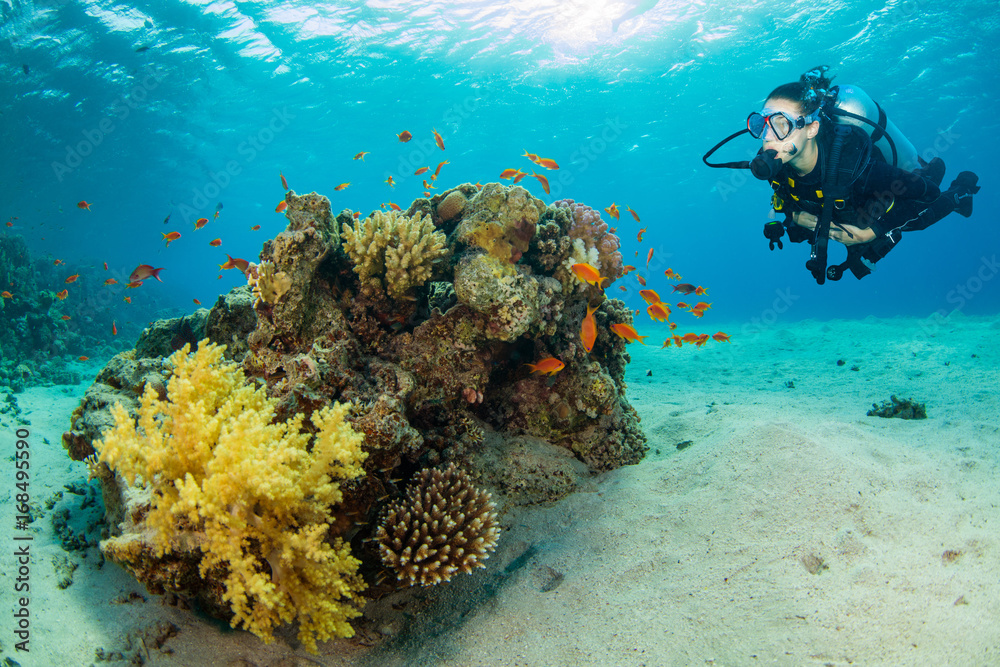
(444, 525)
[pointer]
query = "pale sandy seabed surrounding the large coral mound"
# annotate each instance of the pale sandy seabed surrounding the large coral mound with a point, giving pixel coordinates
(772, 522)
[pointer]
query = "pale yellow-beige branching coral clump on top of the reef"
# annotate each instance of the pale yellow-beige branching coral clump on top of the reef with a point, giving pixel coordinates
(395, 248)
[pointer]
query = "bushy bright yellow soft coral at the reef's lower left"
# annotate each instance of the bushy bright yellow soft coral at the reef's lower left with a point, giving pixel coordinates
(243, 490)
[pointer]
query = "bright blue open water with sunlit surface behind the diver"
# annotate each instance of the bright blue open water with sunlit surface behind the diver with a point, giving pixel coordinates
(150, 109)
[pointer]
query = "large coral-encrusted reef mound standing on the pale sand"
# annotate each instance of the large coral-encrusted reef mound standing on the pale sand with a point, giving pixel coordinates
(423, 321)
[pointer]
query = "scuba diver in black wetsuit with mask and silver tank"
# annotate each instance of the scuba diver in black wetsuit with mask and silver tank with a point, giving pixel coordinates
(840, 169)
